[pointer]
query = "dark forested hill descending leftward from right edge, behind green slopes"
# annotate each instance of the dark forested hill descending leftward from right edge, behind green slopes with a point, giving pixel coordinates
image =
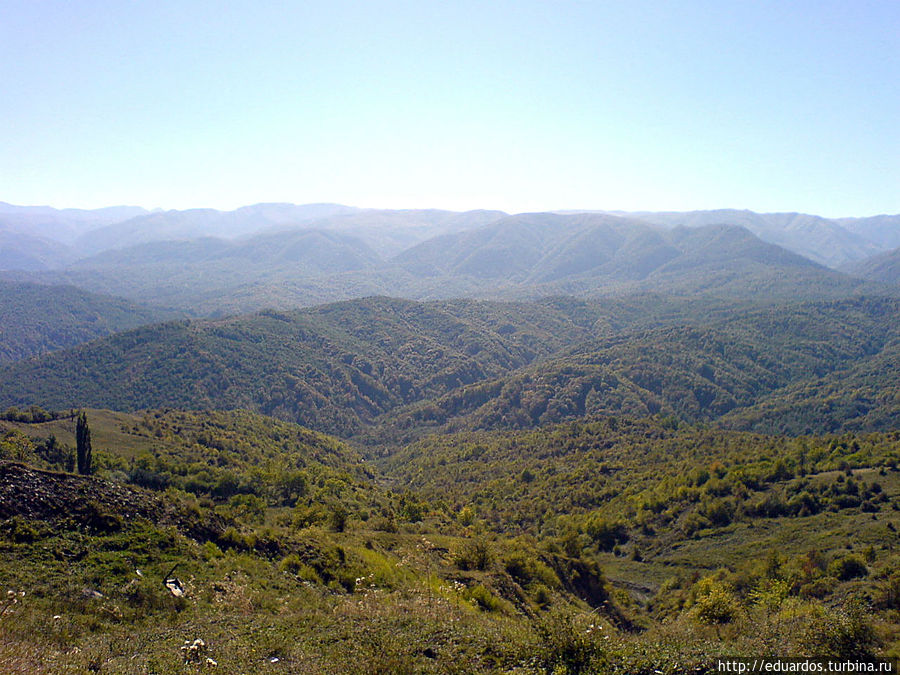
(798, 369)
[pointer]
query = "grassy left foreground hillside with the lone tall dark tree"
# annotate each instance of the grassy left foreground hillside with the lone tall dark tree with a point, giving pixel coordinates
(385, 592)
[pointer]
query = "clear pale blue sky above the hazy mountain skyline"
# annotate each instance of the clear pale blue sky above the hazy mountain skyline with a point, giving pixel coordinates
(520, 106)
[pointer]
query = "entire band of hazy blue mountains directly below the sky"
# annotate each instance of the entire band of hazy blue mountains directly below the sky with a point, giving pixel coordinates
(282, 255)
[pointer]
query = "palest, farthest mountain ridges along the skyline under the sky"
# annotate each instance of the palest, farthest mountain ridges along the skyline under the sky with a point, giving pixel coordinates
(831, 242)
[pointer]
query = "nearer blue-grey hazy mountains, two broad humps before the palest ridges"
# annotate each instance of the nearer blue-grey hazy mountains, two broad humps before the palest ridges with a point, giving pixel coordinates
(515, 258)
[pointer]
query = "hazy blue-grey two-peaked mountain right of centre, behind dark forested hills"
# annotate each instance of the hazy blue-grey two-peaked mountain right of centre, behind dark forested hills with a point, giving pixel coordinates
(585, 254)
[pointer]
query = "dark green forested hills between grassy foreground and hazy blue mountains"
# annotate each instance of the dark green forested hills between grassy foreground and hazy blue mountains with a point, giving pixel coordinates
(403, 365)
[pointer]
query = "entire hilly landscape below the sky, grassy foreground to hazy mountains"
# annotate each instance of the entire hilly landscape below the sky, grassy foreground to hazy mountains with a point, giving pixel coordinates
(435, 442)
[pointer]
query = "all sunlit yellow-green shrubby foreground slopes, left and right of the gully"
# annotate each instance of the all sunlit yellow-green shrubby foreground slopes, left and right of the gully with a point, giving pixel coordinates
(398, 588)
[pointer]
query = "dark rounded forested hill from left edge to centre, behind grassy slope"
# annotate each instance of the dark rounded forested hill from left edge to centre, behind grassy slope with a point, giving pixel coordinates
(333, 367)
